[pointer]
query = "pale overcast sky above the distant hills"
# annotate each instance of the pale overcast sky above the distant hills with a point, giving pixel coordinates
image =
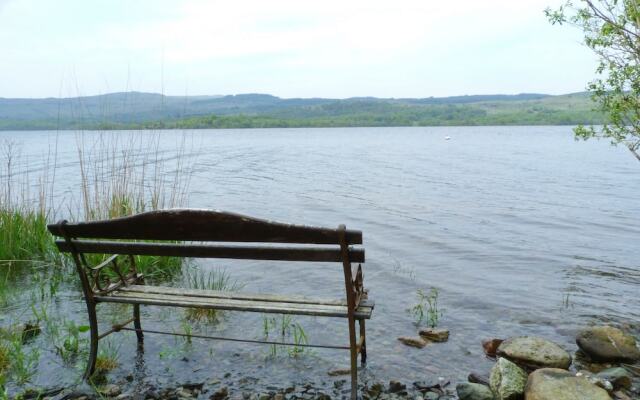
(291, 48)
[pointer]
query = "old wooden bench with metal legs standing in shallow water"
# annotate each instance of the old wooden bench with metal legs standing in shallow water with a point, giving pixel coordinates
(192, 233)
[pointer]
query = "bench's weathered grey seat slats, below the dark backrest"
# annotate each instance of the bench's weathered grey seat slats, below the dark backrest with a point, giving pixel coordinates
(266, 304)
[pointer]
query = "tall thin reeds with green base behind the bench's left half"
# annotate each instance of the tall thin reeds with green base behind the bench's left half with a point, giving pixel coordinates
(121, 179)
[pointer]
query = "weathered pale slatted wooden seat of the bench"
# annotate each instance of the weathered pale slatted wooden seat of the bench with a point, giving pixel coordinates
(233, 305)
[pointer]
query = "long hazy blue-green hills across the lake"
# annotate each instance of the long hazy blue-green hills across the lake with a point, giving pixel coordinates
(150, 110)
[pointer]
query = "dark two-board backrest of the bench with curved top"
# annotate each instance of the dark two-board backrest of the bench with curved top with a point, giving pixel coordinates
(156, 233)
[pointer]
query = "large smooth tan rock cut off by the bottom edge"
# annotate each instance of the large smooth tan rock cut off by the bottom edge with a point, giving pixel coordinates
(559, 384)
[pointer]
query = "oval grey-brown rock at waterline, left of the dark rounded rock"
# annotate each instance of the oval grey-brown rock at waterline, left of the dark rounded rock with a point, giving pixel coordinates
(533, 352)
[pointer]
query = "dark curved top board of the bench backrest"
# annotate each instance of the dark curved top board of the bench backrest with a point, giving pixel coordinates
(201, 225)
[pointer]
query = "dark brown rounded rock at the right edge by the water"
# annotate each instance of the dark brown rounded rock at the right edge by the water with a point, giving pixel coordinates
(606, 343)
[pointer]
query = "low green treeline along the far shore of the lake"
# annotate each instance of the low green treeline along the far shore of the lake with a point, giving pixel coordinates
(378, 116)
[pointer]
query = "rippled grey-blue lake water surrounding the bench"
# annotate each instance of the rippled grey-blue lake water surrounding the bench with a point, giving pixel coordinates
(523, 231)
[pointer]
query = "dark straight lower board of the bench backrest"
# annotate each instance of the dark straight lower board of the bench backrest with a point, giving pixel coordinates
(318, 254)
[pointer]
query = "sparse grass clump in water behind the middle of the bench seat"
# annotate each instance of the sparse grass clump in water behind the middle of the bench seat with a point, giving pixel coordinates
(218, 280)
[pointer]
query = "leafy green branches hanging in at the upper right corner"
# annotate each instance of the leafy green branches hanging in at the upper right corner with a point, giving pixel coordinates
(612, 30)
